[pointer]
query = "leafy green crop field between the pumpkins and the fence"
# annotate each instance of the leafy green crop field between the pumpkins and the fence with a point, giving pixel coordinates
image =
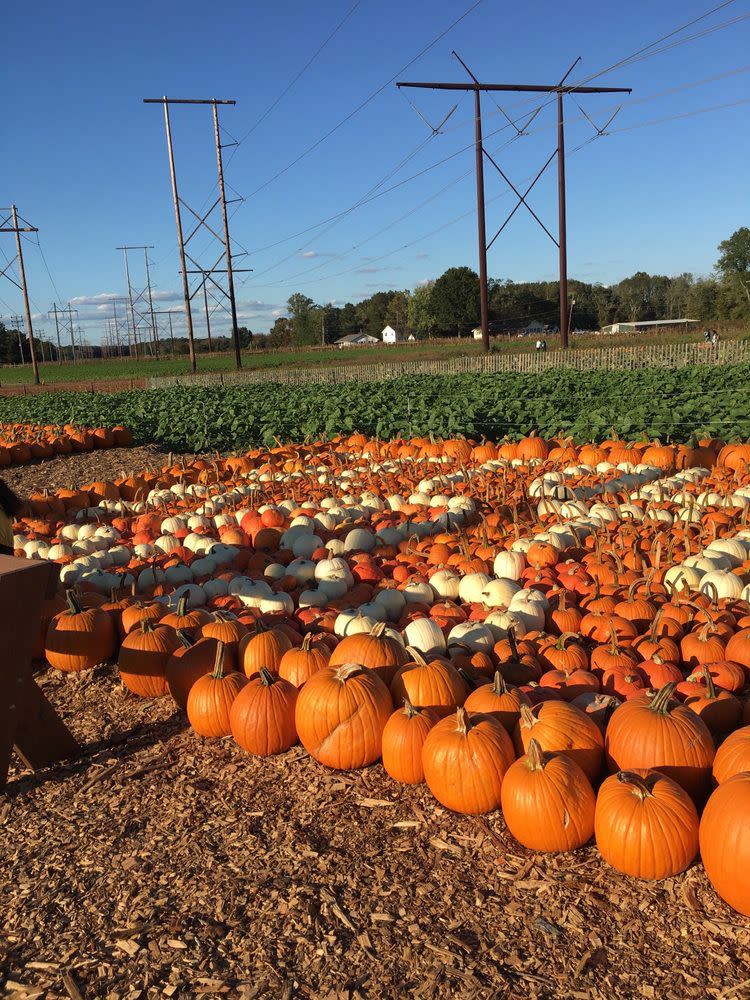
(668, 404)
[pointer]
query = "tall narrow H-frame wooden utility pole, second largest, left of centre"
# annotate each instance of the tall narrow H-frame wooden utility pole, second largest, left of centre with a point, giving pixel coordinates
(224, 239)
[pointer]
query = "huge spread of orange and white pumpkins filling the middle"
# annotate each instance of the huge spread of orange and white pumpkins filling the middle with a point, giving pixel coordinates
(552, 634)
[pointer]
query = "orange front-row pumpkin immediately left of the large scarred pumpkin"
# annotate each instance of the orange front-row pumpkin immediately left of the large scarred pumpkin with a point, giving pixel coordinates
(261, 718)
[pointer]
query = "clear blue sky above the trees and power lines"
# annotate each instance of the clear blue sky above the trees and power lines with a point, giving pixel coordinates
(85, 159)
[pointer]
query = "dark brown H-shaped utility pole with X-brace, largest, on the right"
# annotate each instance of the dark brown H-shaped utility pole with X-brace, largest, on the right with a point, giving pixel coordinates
(560, 90)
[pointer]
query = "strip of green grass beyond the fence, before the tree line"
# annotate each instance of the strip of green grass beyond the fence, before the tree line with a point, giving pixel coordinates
(421, 350)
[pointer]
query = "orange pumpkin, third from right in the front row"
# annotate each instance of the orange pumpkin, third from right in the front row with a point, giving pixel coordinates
(548, 802)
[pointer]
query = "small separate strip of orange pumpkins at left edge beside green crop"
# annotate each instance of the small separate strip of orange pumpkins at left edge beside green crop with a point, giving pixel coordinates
(23, 443)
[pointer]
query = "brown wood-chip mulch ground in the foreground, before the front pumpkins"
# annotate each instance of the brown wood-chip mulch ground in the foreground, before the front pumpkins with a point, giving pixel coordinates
(165, 865)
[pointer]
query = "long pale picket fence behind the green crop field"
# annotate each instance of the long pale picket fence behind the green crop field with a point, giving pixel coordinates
(602, 358)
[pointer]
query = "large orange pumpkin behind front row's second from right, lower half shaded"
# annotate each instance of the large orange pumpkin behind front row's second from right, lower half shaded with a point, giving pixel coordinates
(654, 731)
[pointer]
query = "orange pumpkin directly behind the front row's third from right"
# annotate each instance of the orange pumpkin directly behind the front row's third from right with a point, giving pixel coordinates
(560, 728)
